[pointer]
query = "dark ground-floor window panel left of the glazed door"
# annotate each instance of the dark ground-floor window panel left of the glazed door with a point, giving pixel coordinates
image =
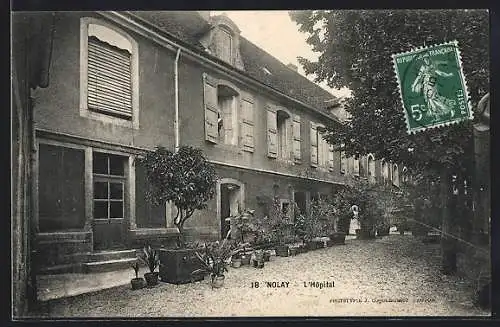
(61, 188)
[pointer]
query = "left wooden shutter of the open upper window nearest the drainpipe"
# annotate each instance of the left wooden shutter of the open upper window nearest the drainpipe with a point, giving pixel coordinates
(211, 110)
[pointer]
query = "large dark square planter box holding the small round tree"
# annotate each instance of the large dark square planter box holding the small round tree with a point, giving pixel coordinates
(177, 265)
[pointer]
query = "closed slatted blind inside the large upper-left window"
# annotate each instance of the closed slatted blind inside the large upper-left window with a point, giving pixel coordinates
(109, 78)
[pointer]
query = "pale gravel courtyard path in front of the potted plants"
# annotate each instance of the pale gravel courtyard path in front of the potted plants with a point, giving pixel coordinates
(393, 276)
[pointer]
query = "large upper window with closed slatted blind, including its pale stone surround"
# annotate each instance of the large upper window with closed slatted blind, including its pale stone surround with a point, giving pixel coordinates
(109, 73)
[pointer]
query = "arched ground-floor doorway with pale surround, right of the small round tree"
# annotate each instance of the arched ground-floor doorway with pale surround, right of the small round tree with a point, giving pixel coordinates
(230, 200)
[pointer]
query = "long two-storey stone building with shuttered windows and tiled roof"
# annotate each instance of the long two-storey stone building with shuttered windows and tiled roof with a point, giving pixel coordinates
(123, 83)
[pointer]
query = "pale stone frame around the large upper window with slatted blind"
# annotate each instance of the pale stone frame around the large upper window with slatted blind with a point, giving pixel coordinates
(133, 122)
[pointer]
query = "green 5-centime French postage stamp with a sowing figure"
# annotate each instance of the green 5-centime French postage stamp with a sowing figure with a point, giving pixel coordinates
(432, 86)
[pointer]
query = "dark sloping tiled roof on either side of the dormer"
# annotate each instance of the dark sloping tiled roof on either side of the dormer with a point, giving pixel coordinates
(188, 26)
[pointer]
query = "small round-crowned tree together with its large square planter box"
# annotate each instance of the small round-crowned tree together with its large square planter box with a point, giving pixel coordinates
(186, 179)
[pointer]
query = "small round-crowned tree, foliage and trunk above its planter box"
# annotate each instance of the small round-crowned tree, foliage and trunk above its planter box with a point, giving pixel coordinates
(184, 178)
